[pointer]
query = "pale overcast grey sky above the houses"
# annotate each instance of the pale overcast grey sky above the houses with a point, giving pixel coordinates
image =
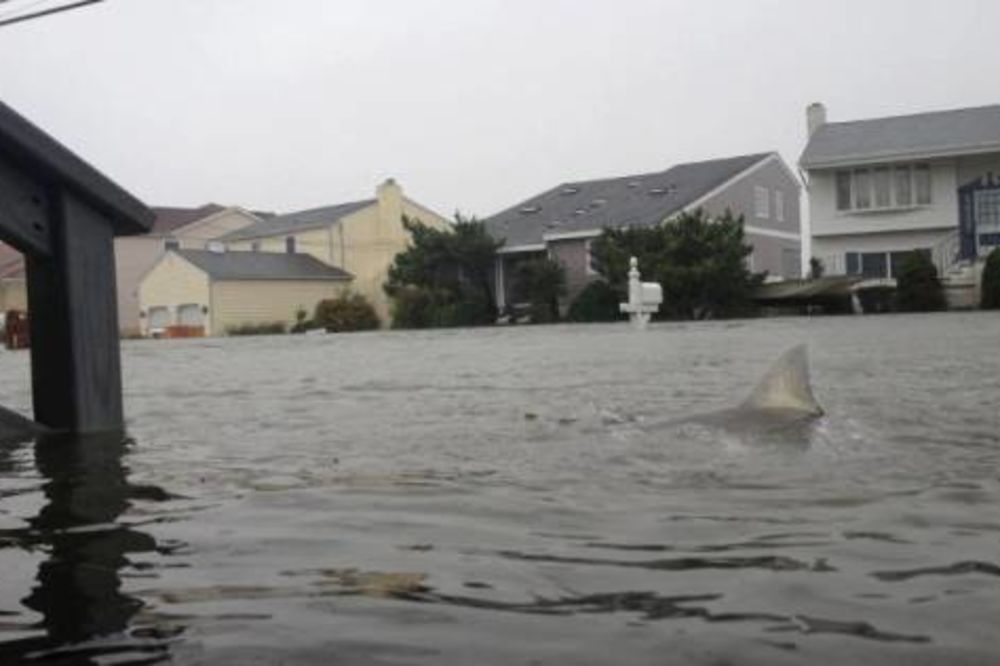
(470, 104)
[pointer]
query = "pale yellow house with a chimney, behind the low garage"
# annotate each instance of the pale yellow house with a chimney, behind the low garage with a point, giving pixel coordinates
(360, 237)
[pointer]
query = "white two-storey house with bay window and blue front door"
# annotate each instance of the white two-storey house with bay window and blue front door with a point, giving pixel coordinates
(881, 187)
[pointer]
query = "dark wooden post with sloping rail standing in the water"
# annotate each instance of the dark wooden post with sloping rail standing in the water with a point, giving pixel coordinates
(63, 215)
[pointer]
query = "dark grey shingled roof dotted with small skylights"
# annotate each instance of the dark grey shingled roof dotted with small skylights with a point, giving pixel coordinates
(638, 200)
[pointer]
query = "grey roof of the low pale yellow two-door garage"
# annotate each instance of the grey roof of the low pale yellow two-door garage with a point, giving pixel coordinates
(262, 266)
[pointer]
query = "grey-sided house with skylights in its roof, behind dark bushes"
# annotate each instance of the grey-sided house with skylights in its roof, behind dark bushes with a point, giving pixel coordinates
(561, 222)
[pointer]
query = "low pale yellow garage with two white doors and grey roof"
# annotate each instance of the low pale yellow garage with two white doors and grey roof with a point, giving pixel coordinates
(213, 291)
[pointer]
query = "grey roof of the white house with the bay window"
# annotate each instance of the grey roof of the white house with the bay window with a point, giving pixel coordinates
(918, 136)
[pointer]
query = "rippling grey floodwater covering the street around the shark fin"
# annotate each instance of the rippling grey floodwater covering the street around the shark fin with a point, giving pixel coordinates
(502, 496)
